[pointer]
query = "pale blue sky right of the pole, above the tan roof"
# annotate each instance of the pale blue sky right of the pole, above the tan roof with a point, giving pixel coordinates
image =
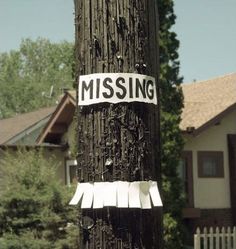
(207, 33)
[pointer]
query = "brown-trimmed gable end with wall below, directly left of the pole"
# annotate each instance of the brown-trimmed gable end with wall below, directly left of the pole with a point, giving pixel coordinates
(61, 129)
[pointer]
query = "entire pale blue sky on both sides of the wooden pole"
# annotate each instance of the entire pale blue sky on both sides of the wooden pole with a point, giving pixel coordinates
(206, 30)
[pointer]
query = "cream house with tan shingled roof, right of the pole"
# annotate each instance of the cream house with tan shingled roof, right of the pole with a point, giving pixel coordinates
(208, 166)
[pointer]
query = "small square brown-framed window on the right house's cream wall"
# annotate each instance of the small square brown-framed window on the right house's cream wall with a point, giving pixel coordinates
(210, 164)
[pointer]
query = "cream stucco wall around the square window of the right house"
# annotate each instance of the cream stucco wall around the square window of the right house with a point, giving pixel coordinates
(212, 192)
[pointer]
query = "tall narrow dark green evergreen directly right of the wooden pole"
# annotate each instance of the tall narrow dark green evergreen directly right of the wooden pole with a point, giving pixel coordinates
(172, 141)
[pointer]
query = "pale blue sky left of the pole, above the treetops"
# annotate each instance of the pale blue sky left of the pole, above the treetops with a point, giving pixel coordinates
(52, 19)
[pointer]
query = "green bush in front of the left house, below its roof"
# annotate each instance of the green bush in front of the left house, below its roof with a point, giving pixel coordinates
(34, 210)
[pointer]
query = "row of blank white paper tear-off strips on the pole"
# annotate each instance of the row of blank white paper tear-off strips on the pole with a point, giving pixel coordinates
(138, 194)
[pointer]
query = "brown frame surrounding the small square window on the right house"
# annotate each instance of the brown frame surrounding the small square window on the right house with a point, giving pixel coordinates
(219, 156)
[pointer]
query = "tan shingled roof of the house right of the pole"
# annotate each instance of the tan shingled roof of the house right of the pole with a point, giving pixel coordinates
(206, 102)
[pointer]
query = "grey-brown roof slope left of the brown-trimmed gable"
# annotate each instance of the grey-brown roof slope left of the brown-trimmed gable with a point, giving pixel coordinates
(11, 127)
